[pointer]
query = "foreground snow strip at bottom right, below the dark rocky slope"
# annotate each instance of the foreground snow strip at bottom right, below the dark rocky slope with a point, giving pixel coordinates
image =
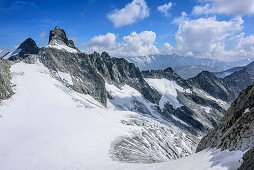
(205, 160)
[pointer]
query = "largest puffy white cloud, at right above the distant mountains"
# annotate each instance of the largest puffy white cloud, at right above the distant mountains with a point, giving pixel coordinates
(206, 38)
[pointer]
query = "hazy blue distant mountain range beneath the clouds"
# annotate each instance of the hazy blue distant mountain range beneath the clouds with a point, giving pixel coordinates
(186, 67)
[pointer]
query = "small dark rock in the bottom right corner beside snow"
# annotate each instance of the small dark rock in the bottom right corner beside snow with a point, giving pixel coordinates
(248, 160)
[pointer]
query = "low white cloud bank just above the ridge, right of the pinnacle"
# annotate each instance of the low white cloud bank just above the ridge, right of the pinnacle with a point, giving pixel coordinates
(131, 45)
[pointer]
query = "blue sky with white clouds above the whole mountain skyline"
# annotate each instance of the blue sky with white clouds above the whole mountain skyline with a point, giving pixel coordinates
(85, 19)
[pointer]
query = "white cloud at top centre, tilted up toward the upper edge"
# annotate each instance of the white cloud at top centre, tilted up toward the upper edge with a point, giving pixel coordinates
(131, 13)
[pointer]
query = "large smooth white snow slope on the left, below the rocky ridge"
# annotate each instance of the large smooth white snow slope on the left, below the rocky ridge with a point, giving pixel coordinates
(46, 126)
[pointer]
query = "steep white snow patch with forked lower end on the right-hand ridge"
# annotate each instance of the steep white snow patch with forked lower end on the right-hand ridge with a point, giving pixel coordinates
(168, 89)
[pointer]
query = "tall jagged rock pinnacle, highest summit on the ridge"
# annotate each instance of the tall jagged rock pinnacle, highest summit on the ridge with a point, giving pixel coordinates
(58, 36)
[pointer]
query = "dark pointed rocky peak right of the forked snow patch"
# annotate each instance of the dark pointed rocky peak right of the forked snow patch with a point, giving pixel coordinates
(212, 85)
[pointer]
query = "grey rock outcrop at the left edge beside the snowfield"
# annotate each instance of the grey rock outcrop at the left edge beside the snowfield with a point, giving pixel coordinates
(5, 77)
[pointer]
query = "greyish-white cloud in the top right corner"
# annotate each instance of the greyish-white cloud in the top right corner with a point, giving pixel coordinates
(229, 7)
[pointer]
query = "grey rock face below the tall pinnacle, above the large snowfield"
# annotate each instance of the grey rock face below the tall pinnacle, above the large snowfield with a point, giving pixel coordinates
(85, 78)
